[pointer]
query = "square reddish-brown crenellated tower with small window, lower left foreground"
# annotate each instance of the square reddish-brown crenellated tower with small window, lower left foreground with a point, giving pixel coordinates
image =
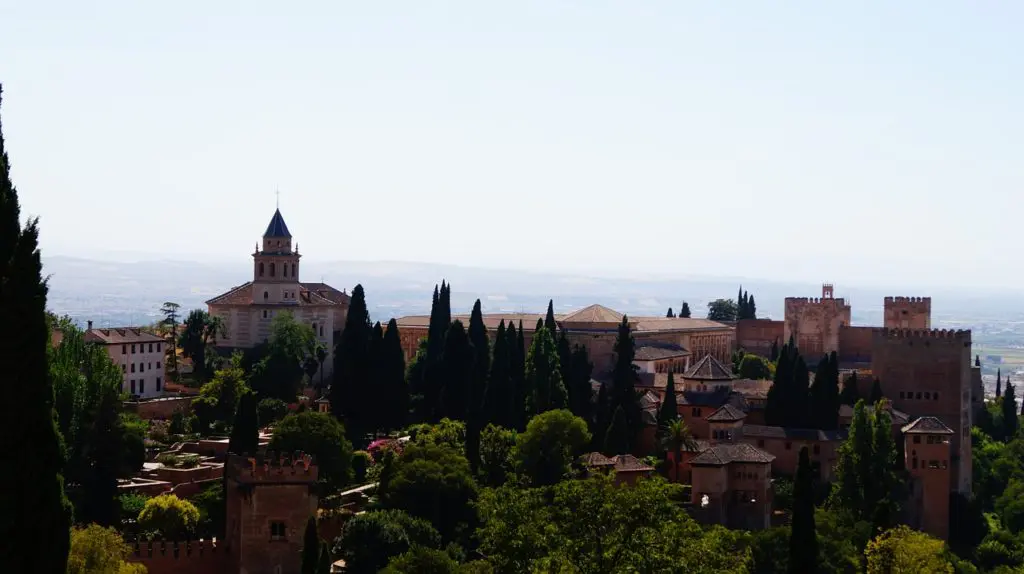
(270, 500)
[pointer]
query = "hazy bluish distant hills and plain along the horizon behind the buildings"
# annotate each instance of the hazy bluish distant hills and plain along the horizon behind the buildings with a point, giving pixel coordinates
(132, 293)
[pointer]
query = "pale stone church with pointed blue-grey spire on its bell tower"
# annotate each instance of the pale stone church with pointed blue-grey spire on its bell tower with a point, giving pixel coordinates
(248, 310)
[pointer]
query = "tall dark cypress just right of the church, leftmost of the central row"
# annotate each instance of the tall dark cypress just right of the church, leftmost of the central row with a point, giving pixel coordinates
(353, 368)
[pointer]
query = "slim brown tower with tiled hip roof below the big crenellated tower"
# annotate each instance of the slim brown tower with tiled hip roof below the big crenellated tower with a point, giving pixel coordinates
(927, 456)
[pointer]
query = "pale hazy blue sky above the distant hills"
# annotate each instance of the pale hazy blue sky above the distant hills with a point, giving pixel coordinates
(868, 143)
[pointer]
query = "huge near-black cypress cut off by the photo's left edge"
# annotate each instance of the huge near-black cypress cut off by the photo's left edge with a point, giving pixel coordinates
(35, 515)
